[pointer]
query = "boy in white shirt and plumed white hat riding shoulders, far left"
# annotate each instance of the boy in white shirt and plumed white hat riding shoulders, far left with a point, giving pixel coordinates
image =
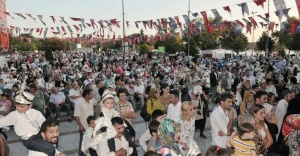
(27, 123)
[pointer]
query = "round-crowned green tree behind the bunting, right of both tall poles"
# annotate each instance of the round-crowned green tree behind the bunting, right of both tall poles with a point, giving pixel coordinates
(237, 42)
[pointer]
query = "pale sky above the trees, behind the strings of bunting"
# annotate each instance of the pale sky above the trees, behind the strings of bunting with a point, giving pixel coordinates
(135, 10)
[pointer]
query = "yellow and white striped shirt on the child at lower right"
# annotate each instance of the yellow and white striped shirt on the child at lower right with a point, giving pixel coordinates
(242, 147)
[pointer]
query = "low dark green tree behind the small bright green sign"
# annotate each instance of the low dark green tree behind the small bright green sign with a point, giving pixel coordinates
(170, 44)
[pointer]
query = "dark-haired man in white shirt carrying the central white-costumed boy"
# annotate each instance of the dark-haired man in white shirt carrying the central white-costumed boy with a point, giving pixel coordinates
(117, 146)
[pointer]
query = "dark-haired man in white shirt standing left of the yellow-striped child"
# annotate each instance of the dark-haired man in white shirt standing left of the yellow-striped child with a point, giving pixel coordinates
(221, 121)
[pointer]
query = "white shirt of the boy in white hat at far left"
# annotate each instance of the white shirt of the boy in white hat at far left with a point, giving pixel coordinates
(25, 124)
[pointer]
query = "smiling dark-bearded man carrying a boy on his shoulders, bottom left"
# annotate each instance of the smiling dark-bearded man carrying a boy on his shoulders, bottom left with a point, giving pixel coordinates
(49, 132)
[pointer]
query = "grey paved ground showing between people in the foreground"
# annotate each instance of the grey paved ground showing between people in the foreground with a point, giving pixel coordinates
(69, 138)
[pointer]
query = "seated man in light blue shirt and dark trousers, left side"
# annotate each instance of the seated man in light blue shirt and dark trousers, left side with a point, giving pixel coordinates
(58, 99)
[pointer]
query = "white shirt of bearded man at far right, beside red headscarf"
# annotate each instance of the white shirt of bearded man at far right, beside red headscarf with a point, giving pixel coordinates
(280, 112)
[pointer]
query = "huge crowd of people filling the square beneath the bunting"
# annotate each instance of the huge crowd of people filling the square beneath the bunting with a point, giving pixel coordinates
(255, 103)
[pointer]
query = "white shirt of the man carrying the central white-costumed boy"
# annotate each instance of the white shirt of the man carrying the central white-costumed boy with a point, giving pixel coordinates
(103, 149)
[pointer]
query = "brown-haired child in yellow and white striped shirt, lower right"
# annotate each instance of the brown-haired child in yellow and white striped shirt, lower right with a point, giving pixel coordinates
(242, 143)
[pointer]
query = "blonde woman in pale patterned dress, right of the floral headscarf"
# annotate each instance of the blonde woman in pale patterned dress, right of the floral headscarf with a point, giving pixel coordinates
(186, 143)
